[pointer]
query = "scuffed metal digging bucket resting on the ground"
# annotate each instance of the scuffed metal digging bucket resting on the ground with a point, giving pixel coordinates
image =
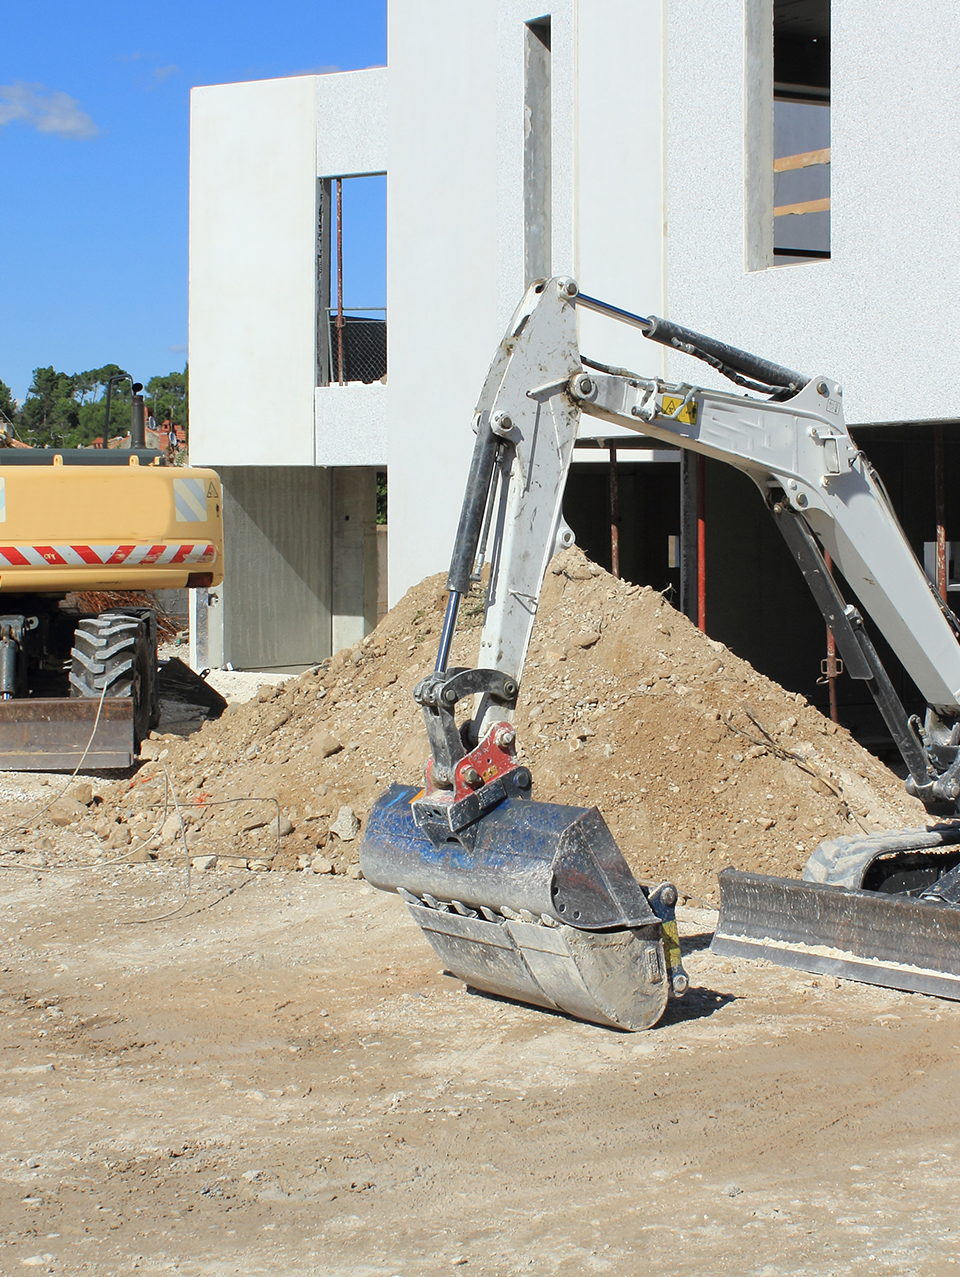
(541, 909)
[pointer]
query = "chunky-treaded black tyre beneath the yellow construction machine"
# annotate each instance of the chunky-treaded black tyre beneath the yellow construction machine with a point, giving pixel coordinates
(116, 654)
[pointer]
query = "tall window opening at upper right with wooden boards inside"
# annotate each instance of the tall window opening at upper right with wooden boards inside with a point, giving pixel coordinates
(801, 131)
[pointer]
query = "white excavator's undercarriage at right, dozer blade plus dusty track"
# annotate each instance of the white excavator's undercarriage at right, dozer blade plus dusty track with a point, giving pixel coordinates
(880, 910)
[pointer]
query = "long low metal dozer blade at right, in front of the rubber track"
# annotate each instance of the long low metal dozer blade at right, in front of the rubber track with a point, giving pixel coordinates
(871, 937)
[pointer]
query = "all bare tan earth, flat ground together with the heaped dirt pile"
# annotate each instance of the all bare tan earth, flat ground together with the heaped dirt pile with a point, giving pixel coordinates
(262, 1071)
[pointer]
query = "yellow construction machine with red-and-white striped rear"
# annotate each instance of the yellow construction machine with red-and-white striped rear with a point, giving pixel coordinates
(80, 686)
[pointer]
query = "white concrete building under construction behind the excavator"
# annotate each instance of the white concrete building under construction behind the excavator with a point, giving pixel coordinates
(667, 154)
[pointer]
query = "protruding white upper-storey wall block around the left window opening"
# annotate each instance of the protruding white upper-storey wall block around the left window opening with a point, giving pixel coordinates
(257, 151)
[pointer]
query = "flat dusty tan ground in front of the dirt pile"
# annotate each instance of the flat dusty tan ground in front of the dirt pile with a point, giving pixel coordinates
(280, 1081)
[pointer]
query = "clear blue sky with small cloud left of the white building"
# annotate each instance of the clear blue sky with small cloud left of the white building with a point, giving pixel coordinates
(94, 163)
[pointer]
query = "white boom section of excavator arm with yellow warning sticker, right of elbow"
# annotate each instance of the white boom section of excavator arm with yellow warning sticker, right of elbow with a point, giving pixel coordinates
(827, 499)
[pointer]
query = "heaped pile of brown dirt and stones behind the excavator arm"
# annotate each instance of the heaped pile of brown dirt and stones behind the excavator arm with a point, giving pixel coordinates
(695, 759)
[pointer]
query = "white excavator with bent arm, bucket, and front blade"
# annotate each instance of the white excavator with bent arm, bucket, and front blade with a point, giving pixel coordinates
(534, 901)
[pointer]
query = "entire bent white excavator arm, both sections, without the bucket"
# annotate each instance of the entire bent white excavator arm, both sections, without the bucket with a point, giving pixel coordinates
(821, 491)
